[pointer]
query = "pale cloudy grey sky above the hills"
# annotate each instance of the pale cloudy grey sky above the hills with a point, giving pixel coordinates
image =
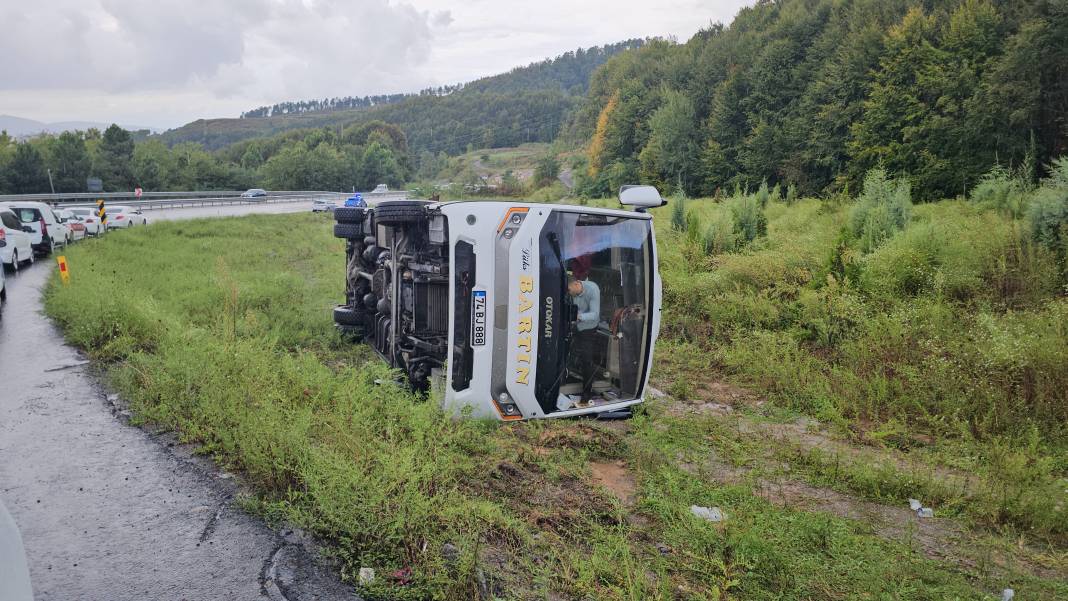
(163, 64)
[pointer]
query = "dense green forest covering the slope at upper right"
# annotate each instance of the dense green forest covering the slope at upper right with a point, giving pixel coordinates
(818, 92)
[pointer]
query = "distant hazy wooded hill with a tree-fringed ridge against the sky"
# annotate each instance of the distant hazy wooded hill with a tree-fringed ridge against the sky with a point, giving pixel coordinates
(525, 105)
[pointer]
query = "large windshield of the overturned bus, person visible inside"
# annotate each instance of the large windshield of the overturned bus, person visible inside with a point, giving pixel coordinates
(593, 345)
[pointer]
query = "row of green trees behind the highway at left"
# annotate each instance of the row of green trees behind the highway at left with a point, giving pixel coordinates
(358, 157)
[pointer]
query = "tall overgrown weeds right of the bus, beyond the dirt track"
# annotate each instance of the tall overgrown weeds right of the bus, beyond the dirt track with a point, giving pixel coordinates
(948, 320)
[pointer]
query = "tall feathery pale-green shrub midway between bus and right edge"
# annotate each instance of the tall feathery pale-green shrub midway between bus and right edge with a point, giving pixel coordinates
(883, 210)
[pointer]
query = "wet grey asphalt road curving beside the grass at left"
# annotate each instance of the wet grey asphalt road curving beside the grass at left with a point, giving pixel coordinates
(111, 512)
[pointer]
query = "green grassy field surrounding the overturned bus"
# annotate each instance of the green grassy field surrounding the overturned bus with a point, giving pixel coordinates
(809, 407)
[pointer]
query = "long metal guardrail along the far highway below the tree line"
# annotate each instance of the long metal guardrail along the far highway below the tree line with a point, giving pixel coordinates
(155, 201)
